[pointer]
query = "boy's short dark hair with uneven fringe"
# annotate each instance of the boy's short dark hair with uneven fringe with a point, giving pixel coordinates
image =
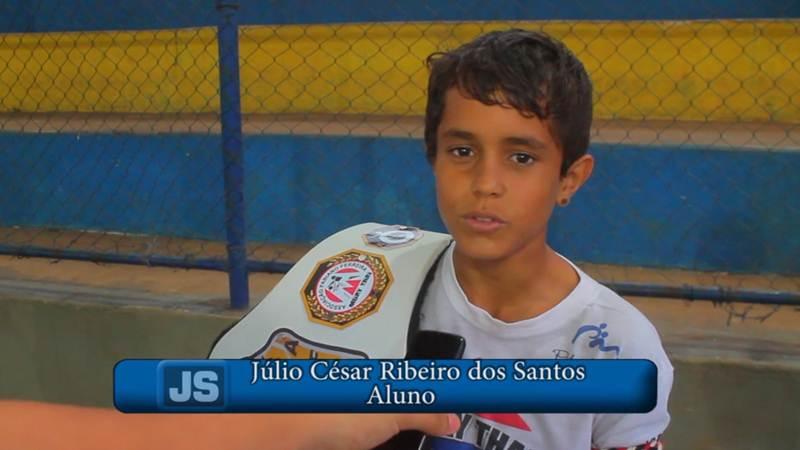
(527, 70)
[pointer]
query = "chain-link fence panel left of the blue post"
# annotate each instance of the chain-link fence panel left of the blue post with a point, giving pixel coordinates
(108, 115)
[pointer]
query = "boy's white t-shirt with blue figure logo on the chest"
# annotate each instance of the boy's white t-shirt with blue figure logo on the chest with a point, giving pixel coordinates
(591, 322)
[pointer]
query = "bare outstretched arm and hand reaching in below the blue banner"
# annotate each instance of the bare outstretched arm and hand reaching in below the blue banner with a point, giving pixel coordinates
(34, 426)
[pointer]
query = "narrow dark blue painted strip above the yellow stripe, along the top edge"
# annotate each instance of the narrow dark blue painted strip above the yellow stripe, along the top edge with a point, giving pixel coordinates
(18, 16)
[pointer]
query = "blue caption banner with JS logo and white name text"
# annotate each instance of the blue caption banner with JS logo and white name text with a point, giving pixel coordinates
(284, 385)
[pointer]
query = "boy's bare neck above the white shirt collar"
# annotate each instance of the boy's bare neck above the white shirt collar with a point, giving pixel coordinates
(522, 286)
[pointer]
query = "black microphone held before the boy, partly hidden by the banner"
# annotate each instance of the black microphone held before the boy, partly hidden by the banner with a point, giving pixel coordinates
(425, 344)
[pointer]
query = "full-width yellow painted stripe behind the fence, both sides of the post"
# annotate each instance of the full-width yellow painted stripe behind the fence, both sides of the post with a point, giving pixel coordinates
(697, 70)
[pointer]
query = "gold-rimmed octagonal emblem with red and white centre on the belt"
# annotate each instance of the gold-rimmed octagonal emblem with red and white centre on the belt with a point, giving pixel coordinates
(346, 288)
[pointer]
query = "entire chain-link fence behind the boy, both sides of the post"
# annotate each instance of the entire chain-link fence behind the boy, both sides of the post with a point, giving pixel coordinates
(111, 139)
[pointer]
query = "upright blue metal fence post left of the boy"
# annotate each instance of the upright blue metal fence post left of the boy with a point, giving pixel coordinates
(233, 155)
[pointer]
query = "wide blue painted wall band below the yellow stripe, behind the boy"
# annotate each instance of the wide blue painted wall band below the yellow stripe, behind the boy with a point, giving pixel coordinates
(695, 208)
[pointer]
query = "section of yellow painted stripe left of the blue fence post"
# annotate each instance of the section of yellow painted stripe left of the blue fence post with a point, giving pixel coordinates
(162, 71)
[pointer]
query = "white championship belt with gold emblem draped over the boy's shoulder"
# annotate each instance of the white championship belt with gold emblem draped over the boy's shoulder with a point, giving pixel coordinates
(354, 295)
